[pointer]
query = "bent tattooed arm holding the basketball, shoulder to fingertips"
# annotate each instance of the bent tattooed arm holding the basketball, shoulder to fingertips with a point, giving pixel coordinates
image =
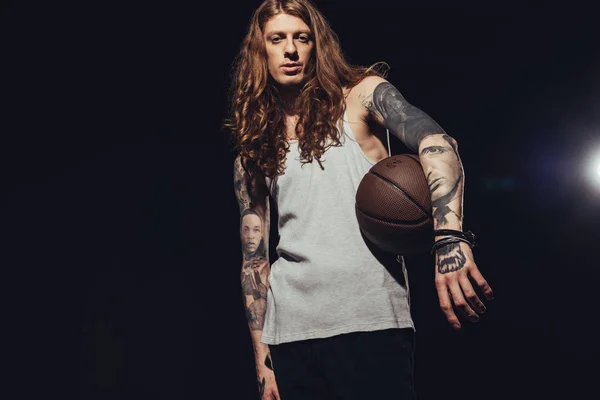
(438, 155)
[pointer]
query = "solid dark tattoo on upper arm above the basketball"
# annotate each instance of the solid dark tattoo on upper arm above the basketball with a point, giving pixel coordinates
(404, 120)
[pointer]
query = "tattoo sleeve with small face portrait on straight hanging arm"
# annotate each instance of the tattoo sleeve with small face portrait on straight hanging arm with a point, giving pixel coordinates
(254, 227)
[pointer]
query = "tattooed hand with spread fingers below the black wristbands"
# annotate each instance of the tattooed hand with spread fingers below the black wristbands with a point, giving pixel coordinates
(454, 266)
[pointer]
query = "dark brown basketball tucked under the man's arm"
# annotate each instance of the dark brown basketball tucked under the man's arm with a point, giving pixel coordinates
(393, 206)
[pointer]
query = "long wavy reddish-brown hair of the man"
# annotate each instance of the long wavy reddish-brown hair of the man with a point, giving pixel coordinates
(256, 120)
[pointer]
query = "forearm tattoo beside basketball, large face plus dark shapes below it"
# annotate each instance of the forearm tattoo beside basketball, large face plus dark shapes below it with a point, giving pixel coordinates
(444, 177)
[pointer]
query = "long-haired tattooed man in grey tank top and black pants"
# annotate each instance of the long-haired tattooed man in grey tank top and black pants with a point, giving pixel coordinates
(329, 318)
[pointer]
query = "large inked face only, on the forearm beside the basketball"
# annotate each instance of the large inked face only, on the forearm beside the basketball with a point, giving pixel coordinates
(441, 183)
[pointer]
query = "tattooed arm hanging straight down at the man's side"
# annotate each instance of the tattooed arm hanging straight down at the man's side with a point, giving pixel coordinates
(253, 200)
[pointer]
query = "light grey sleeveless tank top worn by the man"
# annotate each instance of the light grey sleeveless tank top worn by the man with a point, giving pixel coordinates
(326, 281)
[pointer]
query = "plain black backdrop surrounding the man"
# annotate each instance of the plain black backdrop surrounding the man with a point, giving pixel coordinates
(121, 242)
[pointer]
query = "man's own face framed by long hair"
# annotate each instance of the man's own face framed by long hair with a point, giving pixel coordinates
(289, 45)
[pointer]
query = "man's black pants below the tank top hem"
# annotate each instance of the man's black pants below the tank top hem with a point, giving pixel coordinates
(359, 365)
